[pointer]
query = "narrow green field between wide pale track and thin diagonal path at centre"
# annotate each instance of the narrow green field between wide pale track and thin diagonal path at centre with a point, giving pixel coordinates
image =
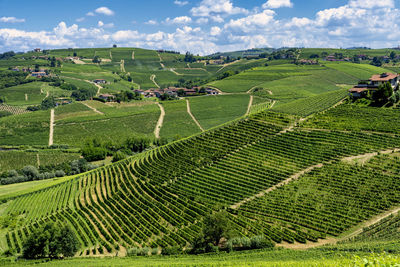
(177, 122)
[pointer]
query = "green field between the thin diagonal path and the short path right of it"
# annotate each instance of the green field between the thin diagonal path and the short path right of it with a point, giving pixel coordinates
(212, 111)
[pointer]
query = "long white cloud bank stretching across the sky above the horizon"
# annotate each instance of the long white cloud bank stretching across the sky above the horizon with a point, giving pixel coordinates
(353, 24)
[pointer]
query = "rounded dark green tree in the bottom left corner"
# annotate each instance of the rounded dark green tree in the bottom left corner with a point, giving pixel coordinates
(50, 240)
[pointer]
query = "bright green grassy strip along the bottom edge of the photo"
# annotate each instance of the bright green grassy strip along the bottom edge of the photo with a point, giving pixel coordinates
(279, 258)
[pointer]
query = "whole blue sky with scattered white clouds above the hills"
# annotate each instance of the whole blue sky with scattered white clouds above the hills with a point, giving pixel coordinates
(199, 26)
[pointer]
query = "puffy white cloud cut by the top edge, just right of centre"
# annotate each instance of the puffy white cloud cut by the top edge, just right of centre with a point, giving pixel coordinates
(208, 8)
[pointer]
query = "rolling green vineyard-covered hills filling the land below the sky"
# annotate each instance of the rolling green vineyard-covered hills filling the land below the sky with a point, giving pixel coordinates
(279, 147)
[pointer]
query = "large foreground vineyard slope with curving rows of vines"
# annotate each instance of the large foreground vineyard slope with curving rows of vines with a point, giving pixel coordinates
(158, 199)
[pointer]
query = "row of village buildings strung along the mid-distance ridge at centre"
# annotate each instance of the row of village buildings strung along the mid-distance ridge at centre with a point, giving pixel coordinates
(175, 92)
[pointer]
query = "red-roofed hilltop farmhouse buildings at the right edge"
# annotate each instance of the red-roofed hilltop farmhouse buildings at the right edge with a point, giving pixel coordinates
(372, 84)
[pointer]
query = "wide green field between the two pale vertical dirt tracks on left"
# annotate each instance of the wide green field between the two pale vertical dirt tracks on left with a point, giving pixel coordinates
(117, 123)
